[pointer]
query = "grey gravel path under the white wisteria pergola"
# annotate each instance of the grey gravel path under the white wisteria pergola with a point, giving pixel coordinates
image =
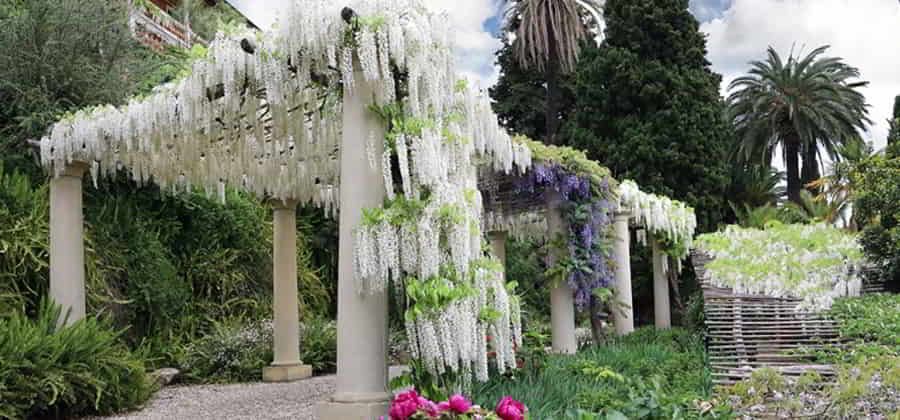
(264, 401)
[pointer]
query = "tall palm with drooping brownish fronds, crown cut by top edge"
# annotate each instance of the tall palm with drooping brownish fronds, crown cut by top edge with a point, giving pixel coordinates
(548, 34)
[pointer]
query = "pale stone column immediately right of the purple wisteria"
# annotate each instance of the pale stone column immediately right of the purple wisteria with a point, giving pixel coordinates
(623, 310)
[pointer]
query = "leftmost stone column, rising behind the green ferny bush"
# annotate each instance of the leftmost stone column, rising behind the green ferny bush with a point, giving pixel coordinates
(67, 242)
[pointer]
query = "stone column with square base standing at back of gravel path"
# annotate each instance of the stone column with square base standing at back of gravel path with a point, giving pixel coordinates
(286, 365)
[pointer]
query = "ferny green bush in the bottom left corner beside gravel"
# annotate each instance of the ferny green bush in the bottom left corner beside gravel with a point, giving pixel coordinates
(82, 369)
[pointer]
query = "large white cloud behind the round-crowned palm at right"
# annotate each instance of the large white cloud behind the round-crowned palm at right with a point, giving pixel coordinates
(866, 33)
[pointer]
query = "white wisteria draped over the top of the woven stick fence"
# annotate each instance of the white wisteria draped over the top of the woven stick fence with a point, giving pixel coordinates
(815, 263)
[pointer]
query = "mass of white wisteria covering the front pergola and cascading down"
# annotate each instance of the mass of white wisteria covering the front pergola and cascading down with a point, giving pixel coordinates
(262, 112)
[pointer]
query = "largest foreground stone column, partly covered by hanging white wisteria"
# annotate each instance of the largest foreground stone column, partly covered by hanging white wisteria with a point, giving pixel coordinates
(362, 318)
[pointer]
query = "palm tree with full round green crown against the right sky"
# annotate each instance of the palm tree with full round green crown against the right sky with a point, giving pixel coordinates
(804, 105)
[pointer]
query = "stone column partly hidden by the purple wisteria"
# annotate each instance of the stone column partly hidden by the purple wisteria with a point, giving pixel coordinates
(562, 298)
